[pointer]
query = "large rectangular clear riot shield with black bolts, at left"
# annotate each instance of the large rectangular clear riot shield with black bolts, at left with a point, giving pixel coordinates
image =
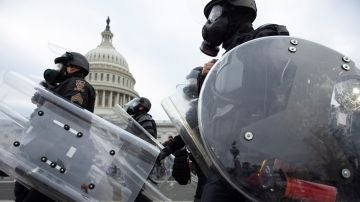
(65, 151)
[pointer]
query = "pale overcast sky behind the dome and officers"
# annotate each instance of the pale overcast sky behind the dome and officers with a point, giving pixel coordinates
(160, 39)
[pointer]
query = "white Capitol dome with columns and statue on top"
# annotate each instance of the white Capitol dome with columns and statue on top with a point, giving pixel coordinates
(110, 75)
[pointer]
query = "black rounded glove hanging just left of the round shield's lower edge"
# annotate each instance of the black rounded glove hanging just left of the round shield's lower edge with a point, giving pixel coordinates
(181, 168)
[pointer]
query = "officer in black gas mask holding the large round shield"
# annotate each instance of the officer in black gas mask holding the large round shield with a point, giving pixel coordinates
(229, 23)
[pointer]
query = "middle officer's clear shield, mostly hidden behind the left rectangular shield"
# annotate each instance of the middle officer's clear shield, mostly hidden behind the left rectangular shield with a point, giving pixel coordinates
(161, 172)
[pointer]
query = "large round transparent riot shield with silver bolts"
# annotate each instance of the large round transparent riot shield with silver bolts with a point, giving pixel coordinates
(279, 118)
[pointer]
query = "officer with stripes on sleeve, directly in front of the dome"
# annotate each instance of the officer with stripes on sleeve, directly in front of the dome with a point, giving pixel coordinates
(69, 83)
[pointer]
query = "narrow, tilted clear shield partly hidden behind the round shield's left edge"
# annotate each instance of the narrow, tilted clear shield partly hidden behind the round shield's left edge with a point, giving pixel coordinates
(182, 111)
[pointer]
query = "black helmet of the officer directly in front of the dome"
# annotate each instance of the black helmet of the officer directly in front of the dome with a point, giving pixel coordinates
(75, 59)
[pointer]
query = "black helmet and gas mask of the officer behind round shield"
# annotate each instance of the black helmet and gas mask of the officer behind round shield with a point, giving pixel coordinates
(224, 18)
